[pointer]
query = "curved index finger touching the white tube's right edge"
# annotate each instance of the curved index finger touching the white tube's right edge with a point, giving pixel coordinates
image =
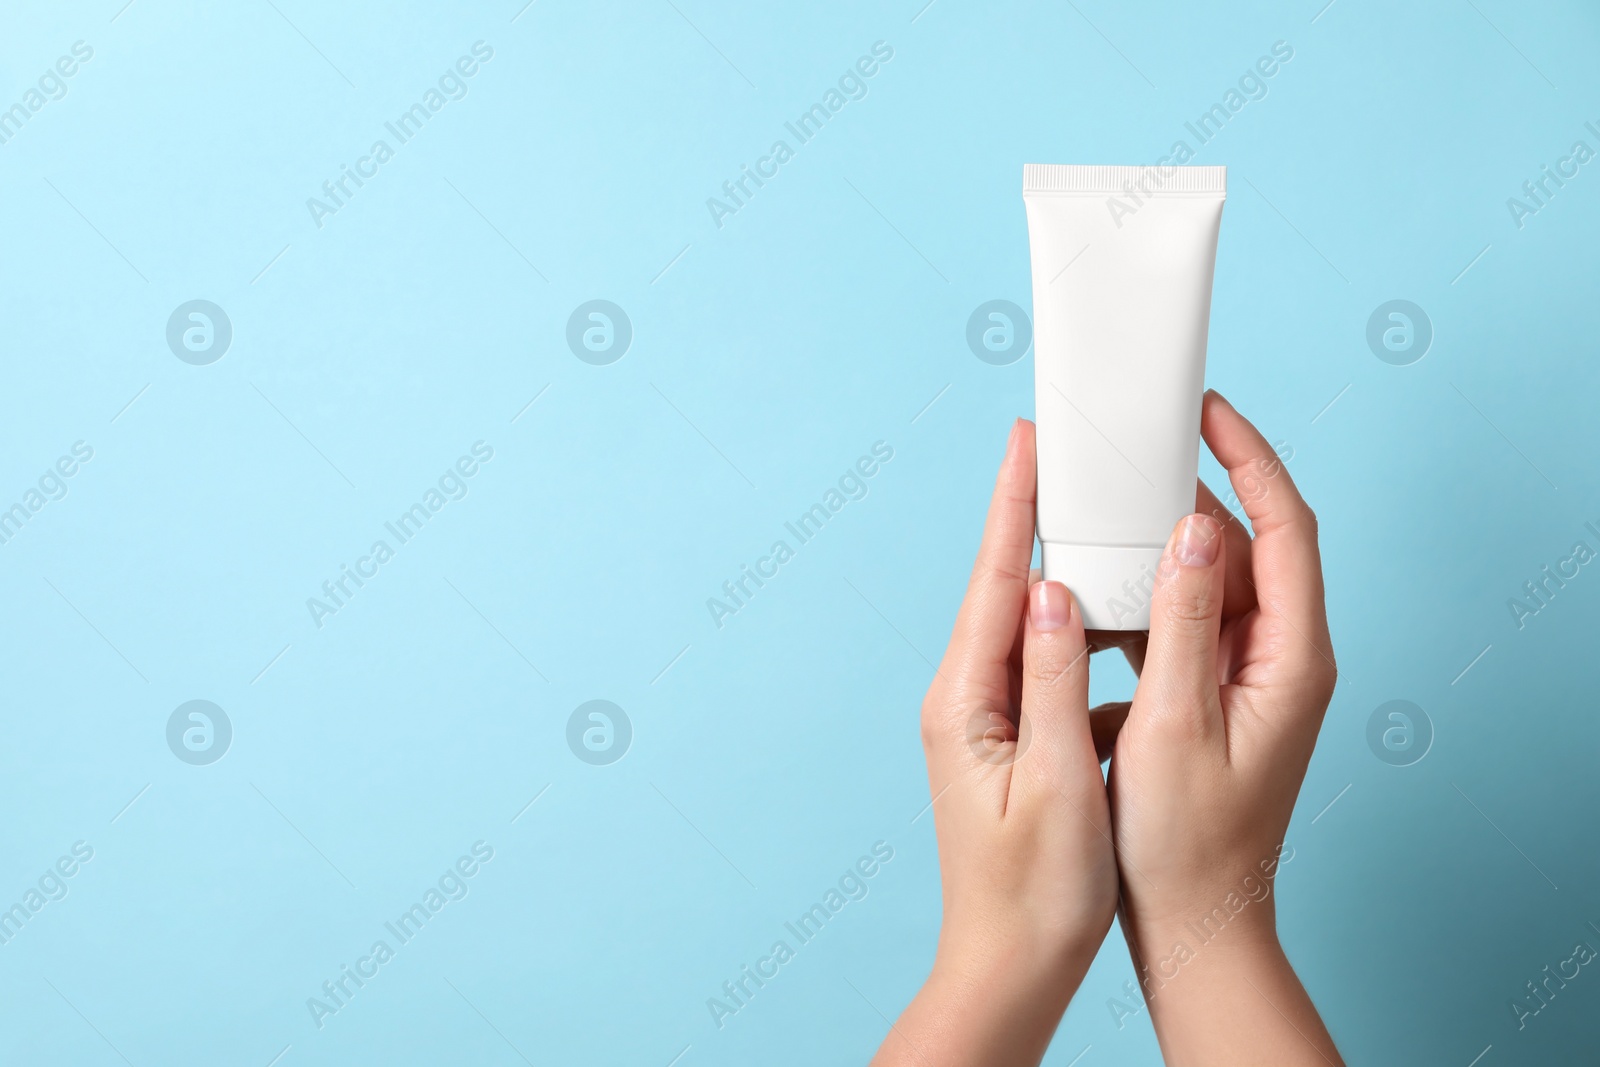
(1286, 561)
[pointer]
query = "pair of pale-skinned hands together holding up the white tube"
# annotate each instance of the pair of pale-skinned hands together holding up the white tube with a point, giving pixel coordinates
(1038, 852)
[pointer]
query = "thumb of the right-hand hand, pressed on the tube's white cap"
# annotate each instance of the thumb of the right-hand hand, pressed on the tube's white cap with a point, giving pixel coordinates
(1186, 613)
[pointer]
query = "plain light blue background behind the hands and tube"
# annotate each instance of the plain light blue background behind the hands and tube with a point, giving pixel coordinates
(823, 318)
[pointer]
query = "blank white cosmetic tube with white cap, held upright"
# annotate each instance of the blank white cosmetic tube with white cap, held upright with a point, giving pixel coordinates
(1122, 302)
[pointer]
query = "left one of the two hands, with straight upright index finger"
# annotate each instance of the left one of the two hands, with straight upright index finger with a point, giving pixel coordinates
(1020, 805)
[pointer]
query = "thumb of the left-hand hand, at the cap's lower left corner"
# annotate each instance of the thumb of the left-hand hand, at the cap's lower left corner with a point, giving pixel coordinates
(1054, 730)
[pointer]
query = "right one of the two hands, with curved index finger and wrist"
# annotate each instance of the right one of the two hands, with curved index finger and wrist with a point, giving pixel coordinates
(1233, 687)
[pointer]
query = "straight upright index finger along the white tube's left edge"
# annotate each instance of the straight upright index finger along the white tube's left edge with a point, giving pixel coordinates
(986, 626)
